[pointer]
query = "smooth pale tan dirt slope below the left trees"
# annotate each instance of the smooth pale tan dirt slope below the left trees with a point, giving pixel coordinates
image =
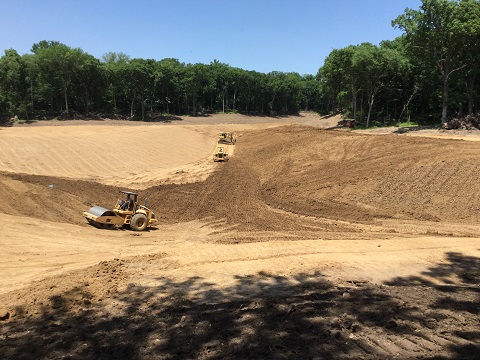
(101, 154)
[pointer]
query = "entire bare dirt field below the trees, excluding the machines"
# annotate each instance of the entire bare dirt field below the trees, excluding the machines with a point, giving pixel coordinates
(312, 242)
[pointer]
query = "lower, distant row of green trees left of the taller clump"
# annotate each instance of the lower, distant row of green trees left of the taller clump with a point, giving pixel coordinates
(56, 79)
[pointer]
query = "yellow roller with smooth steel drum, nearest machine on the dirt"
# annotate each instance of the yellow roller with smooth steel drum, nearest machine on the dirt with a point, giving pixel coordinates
(126, 212)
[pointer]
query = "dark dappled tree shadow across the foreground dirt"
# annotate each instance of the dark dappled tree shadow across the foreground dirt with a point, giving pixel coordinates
(259, 317)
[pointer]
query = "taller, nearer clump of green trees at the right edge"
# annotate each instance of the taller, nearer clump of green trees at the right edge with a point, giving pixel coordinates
(430, 72)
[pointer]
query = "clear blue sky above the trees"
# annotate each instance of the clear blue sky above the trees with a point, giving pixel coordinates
(261, 35)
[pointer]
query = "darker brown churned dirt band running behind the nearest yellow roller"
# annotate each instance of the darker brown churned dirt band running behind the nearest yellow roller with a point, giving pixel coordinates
(282, 173)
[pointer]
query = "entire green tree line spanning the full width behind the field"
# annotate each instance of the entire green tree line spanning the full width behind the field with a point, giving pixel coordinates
(428, 73)
